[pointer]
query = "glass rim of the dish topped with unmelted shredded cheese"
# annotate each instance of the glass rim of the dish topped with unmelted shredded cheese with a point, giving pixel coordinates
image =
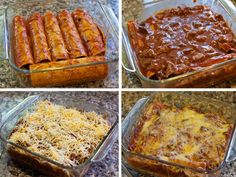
(98, 148)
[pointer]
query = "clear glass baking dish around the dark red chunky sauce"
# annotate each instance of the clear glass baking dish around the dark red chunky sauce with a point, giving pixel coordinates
(204, 77)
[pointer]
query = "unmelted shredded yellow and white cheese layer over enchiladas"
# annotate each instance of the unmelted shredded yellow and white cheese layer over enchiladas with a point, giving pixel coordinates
(64, 135)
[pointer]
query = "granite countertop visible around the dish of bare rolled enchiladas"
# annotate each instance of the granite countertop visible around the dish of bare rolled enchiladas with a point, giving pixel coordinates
(8, 79)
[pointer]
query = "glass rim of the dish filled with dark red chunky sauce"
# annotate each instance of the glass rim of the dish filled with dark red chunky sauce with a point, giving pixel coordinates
(133, 59)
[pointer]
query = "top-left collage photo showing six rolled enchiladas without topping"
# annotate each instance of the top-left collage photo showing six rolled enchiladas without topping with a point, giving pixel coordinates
(68, 43)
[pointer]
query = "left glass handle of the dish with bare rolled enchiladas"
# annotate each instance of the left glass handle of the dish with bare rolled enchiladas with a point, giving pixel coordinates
(3, 35)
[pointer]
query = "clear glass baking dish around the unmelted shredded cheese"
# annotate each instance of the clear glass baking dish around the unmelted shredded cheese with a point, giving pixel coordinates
(40, 162)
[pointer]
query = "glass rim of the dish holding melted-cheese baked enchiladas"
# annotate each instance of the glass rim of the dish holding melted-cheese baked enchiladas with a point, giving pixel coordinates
(140, 111)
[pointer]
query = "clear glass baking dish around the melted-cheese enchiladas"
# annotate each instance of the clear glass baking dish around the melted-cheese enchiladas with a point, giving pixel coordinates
(142, 162)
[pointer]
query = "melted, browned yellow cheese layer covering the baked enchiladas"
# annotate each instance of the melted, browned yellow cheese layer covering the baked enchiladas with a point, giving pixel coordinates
(183, 136)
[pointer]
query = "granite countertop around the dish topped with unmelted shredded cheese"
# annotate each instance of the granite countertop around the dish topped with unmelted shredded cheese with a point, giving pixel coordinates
(108, 167)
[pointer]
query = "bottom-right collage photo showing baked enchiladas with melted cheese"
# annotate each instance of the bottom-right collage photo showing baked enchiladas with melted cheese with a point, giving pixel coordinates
(178, 134)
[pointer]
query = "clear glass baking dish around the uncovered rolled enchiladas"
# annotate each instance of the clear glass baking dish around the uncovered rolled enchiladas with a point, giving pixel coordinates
(103, 17)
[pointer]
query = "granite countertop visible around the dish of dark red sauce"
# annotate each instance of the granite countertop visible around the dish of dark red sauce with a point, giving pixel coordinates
(130, 80)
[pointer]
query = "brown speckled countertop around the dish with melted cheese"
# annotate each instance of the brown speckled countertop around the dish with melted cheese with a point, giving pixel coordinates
(130, 98)
